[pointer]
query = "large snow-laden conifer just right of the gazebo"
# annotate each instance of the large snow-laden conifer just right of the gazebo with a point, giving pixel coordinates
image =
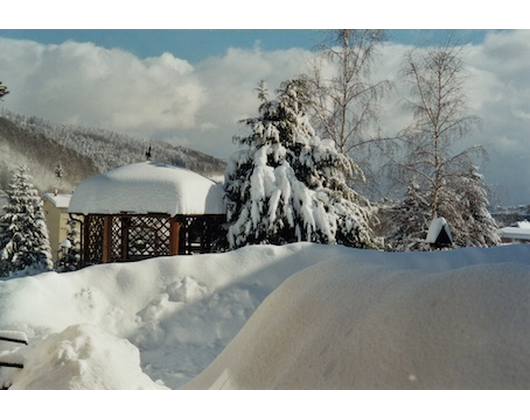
(288, 185)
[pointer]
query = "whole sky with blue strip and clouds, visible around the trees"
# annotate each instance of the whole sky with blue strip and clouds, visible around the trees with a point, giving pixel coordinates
(190, 87)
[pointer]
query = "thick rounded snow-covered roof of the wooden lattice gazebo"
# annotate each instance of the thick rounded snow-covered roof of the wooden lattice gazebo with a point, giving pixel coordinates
(148, 187)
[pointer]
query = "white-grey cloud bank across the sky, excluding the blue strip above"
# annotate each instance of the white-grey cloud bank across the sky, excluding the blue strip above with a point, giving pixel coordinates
(167, 98)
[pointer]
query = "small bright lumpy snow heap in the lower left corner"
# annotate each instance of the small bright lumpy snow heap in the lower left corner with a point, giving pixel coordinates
(82, 357)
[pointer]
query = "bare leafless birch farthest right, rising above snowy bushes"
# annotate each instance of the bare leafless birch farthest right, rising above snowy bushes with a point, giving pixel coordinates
(437, 78)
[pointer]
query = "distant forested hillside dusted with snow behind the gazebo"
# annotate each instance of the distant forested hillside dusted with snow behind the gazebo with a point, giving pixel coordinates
(82, 152)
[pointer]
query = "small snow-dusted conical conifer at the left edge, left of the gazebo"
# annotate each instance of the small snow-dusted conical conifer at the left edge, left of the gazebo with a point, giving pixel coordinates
(24, 241)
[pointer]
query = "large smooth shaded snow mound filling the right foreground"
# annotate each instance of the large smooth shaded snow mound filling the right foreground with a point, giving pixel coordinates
(348, 324)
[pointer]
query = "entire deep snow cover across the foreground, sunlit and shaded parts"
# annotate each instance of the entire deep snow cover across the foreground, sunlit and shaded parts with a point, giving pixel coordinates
(344, 318)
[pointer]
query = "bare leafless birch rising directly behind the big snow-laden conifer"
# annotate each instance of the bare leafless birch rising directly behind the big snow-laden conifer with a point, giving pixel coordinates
(344, 98)
